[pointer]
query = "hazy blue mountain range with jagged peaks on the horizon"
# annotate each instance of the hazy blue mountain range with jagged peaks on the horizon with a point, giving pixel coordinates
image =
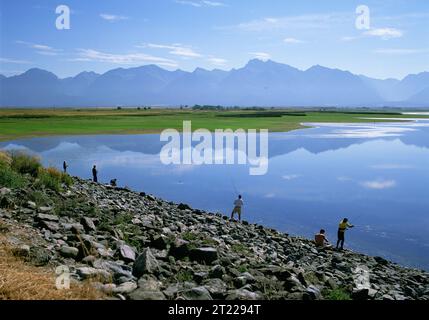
(258, 83)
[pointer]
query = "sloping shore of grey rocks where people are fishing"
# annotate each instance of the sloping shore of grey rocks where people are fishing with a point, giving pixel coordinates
(135, 246)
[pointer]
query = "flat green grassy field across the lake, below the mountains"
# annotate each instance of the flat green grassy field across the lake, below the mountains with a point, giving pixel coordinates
(20, 123)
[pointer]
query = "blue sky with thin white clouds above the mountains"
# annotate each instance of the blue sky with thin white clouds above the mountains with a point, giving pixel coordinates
(225, 34)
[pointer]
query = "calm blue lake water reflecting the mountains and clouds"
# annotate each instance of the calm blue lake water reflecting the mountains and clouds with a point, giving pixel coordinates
(375, 174)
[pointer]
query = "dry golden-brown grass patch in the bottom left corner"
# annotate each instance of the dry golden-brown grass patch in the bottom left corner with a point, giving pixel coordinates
(21, 281)
